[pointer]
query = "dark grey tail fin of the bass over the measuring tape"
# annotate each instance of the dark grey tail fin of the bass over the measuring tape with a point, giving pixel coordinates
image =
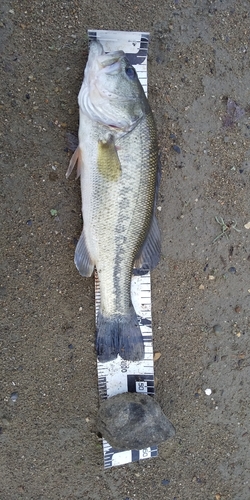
(119, 335)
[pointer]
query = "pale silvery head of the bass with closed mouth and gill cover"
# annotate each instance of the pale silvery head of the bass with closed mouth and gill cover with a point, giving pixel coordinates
(111, 93)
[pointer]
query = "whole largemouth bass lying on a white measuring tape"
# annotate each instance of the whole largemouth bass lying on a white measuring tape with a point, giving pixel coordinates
(117, 159)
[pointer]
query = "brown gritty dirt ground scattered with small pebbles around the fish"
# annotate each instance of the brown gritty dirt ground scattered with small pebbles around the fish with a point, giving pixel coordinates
(199, 90)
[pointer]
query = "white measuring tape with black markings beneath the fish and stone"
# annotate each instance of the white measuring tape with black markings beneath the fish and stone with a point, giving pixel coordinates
(118, 376)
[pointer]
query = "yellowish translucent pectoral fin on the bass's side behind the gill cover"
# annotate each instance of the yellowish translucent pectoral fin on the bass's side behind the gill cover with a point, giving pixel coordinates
(108, 161)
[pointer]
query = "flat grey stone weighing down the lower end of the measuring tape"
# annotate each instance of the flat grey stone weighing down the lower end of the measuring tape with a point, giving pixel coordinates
(133, 421)
